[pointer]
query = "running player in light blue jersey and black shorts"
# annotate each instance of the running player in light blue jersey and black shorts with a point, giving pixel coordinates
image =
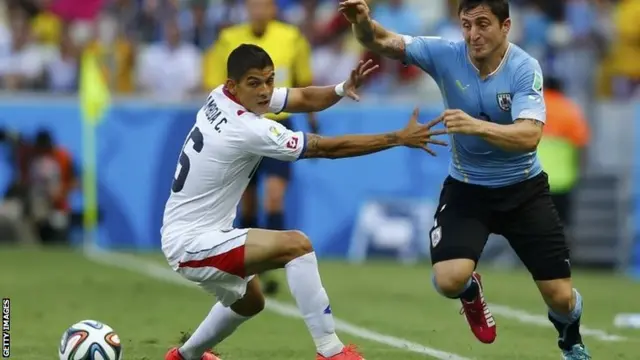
(495, 111)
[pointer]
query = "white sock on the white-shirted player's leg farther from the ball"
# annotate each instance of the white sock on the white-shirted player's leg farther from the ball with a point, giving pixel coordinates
(313, 302)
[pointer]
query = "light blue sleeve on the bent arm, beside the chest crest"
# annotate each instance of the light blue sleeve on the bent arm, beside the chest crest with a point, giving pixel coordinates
(528, 98)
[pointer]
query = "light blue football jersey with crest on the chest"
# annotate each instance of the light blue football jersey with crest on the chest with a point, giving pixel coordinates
(513, 91)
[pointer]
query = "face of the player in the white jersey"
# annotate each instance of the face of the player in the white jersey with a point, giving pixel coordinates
(254, 90)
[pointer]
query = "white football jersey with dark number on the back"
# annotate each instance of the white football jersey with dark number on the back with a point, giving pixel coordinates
(219, 157)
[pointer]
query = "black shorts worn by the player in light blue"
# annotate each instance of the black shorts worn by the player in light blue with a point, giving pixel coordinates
(523, 213)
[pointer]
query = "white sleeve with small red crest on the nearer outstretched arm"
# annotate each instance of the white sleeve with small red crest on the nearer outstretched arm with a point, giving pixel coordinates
(272, 139)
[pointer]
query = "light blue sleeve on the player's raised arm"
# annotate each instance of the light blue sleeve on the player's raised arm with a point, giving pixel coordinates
(427, 52)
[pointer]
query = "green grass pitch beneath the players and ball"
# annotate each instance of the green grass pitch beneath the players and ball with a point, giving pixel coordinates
(52, 289)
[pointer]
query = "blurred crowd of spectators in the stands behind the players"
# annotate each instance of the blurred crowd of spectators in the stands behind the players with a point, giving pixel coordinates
(586, 44)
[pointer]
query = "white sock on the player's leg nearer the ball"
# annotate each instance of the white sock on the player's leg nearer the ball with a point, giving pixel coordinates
(217, 326)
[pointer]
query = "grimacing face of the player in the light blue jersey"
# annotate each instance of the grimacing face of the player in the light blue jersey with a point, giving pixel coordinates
(483, 31)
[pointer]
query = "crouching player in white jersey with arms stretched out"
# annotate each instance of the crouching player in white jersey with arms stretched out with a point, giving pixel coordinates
(220, 154)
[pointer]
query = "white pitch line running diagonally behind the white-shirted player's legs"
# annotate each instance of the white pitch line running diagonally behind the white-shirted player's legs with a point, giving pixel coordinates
(156, 271)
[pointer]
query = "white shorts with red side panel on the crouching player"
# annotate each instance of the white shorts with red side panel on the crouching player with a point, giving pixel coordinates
(215, 261)
